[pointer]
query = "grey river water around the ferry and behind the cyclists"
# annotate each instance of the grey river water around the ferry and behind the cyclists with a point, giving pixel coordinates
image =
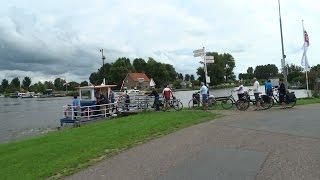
(25, 117)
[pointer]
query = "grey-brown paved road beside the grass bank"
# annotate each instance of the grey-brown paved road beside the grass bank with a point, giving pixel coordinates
(275, 144)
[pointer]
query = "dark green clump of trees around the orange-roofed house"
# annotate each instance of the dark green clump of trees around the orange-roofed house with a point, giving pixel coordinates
(162, 74)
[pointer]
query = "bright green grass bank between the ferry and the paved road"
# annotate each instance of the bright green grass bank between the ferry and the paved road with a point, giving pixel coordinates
(67, 151)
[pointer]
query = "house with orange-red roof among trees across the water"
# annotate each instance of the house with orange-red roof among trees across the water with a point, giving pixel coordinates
(137, 81)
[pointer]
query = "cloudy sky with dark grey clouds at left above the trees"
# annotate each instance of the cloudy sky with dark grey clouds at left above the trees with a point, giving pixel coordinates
(45, 39)
